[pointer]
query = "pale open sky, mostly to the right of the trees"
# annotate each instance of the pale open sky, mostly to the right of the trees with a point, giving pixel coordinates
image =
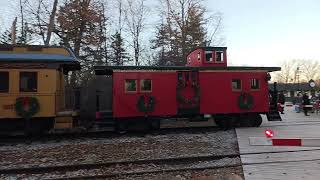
(257, 32)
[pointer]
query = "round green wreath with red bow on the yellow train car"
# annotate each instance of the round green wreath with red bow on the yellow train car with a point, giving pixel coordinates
(26, 107)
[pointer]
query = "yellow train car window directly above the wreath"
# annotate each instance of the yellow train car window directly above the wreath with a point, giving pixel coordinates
(28, 82)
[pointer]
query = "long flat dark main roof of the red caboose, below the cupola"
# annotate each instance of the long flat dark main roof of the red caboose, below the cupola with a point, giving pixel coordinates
(108, 70)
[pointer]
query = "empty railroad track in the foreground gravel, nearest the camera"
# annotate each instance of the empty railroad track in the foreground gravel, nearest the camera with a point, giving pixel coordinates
(133, 167)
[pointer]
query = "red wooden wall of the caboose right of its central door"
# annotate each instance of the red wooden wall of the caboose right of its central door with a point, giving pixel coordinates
(217, 95)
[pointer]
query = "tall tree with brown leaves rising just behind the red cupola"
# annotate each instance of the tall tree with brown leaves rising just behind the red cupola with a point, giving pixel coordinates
(182, 29)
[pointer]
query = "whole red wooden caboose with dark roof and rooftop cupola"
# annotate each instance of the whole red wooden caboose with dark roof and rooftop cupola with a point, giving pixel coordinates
(206, 85)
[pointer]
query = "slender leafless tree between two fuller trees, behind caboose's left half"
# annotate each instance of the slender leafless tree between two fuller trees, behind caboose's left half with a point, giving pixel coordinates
(135, 16)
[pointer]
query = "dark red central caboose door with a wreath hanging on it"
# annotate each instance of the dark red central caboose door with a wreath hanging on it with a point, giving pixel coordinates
(188, 92)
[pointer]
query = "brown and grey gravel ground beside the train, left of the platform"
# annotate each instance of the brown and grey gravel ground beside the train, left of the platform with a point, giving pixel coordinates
(121, 148)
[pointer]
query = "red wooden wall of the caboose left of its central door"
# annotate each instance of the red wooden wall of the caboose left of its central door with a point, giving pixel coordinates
(163, 89)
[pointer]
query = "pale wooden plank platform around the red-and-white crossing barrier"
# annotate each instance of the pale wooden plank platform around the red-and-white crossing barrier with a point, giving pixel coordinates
(303, 164)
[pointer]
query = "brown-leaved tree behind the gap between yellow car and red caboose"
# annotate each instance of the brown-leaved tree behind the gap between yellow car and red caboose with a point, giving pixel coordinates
(81, 27)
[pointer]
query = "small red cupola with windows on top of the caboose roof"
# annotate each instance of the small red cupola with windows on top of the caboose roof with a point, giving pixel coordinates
(208, 57)
